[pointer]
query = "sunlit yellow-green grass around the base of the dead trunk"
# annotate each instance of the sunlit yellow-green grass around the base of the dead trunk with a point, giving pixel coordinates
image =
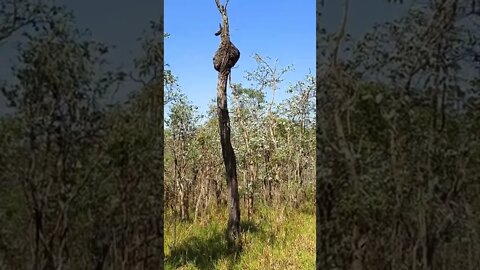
(275, 238)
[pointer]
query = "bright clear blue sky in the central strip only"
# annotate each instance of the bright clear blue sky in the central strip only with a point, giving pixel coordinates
(283, 30)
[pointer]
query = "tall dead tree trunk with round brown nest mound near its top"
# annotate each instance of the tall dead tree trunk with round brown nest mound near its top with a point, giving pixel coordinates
(225, 58)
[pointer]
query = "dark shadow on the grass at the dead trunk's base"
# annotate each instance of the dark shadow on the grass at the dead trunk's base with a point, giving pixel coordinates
(204, 253)
